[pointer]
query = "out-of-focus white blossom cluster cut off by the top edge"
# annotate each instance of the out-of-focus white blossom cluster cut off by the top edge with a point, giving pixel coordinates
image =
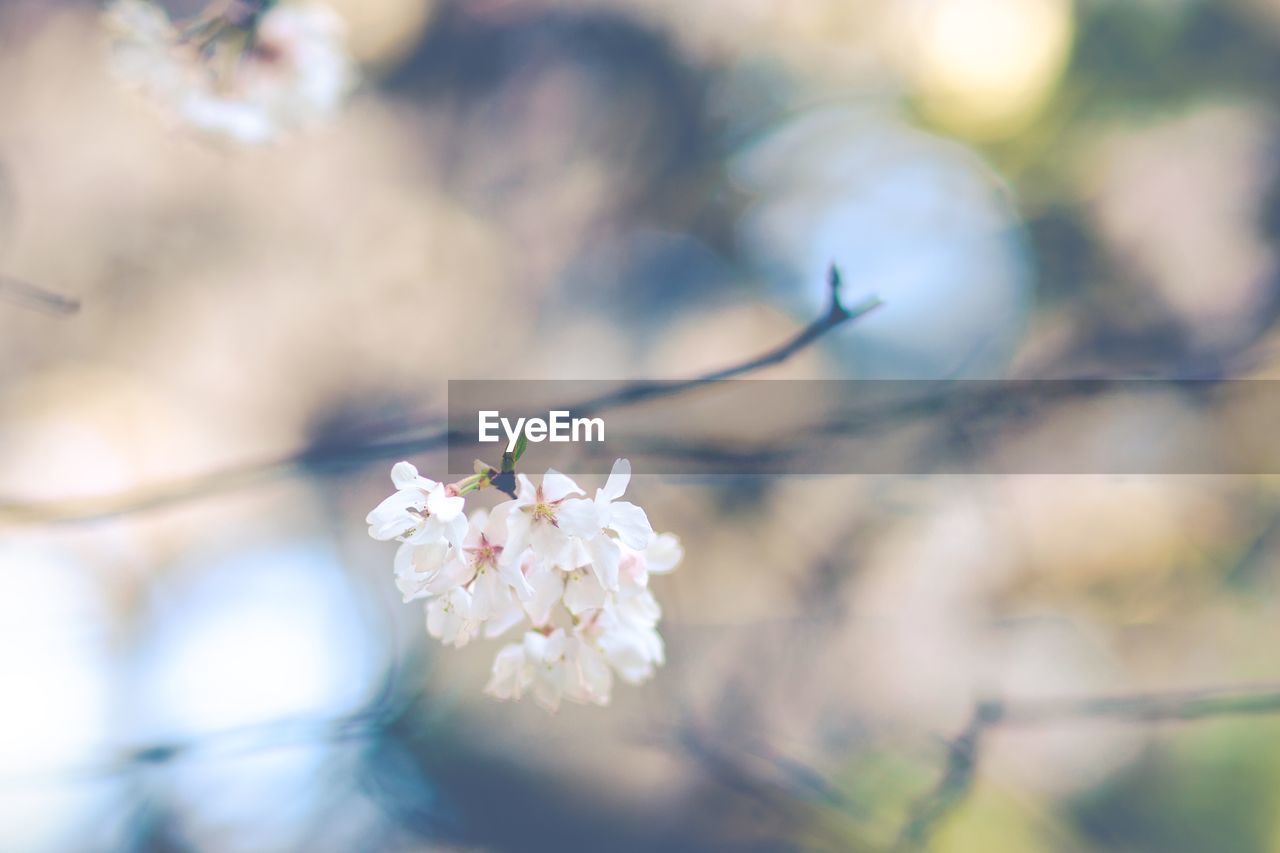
(246, 71)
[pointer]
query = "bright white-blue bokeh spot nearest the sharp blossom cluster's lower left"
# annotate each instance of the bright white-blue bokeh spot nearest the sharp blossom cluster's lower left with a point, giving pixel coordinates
(259, 636)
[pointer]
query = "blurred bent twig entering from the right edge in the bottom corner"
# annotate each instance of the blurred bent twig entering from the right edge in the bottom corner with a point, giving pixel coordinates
(964, 751)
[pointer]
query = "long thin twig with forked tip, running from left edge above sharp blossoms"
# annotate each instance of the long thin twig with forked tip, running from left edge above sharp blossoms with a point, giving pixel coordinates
(346, 457)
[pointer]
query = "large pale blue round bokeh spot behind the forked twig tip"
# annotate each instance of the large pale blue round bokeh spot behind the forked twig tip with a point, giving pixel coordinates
(911, 218)
